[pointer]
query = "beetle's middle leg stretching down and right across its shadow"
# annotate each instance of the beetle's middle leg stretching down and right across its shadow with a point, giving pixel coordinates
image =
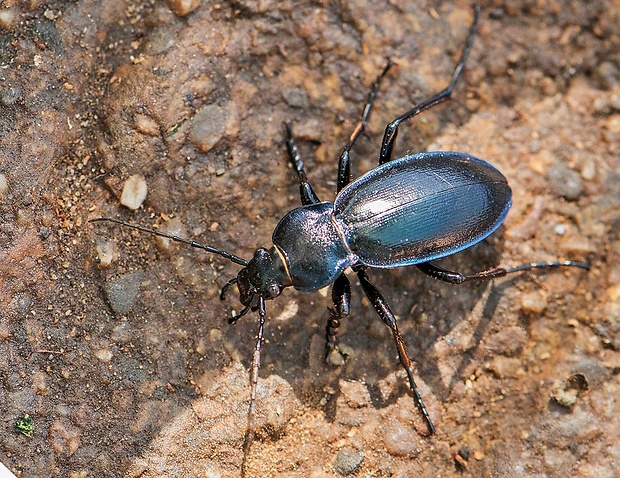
(383, 310)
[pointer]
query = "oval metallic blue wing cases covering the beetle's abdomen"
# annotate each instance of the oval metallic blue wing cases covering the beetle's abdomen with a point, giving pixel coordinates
(421, 207)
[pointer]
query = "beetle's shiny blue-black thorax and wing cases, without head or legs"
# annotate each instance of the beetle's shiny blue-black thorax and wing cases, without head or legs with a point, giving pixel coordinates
(408, 211)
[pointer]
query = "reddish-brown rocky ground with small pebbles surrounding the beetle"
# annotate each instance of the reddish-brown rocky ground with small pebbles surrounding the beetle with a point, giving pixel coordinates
(116, 344)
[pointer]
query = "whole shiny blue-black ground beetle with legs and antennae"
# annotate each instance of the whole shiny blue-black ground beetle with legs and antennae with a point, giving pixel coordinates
(407, 211)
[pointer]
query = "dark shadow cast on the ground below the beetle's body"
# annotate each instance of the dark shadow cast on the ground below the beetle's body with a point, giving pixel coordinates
(427, 311)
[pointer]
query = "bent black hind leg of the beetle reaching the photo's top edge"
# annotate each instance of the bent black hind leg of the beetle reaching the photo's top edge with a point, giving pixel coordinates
(391, 131)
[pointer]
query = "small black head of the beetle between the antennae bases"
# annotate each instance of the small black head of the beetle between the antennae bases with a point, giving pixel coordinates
(264, 276)
